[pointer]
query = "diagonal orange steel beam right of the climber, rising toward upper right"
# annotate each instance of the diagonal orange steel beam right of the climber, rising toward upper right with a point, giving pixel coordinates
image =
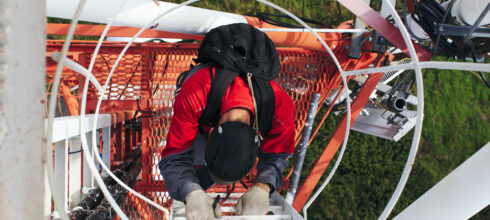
(333, 145)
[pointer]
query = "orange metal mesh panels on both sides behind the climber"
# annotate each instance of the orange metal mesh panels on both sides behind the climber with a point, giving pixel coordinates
(147, 75)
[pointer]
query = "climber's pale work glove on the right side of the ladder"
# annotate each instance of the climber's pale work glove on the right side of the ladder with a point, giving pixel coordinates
(254, 202)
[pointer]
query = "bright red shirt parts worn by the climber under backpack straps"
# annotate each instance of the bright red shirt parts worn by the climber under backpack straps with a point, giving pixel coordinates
(191, 100)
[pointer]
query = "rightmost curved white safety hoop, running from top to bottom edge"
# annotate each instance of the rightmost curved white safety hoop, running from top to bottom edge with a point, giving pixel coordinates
(420, 113)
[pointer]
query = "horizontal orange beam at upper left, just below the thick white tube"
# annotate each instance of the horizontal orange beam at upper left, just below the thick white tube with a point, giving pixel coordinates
(116, 31)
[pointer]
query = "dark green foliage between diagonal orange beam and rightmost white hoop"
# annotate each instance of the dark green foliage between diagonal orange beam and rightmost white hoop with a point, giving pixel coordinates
(364, 180)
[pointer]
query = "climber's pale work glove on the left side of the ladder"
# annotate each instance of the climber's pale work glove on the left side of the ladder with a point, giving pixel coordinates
(199, 206)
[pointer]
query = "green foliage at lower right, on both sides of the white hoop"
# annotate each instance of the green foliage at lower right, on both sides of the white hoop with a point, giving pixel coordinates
(455, 126)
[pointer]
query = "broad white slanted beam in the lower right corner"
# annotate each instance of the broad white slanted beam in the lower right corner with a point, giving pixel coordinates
(461, 194)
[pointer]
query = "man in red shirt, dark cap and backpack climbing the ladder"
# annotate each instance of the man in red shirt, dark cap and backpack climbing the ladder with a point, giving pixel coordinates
(229, 111)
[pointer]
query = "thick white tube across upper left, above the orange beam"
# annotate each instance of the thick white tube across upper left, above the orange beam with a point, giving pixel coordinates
(192, 20)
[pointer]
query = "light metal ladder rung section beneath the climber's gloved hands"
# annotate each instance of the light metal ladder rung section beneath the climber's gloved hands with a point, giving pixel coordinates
(280, 209)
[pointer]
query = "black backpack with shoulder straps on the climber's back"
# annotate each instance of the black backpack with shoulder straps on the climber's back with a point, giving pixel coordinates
(235, 50)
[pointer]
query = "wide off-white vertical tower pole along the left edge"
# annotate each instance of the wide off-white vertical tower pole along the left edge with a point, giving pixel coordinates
(22, 88)
